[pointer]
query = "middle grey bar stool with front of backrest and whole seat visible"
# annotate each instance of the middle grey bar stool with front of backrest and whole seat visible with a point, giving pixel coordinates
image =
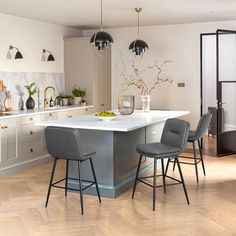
(173, 141)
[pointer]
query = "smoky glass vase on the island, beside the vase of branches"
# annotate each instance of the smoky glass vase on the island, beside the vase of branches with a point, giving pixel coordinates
(126, 104)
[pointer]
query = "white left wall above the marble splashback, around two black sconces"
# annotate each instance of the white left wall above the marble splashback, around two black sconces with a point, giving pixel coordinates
(31, 37)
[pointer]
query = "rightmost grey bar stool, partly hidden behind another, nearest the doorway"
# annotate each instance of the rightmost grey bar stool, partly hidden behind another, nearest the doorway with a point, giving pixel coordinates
(195, 136)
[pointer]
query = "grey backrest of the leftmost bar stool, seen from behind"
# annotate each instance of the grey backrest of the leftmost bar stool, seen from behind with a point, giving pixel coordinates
(63, 143)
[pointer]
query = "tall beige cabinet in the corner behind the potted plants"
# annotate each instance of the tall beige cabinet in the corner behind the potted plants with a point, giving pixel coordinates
(86, 69)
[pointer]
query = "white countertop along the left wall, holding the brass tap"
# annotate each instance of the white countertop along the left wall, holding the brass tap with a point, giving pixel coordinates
(20, 113)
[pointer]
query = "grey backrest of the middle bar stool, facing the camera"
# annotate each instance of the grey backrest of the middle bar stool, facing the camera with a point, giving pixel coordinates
(175, 133)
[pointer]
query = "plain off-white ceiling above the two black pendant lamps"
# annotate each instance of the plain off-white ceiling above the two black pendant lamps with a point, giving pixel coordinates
(85, 14)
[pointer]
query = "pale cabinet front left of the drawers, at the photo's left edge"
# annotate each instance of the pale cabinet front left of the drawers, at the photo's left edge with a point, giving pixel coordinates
(9, 142)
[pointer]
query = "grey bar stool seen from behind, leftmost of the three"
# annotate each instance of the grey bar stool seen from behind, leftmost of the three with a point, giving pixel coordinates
(64, 143)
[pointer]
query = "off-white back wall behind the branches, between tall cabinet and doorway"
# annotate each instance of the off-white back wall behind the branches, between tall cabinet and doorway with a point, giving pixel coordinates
(179, 43)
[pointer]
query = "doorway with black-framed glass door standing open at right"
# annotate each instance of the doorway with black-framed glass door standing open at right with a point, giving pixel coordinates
(218, 90)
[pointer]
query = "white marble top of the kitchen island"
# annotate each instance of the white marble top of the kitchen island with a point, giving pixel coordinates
(123, 123)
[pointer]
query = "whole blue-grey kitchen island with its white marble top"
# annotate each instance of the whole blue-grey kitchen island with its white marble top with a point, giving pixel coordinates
(115, 143)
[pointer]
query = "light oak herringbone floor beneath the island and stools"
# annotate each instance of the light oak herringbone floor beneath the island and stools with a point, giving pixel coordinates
(212, 209)
